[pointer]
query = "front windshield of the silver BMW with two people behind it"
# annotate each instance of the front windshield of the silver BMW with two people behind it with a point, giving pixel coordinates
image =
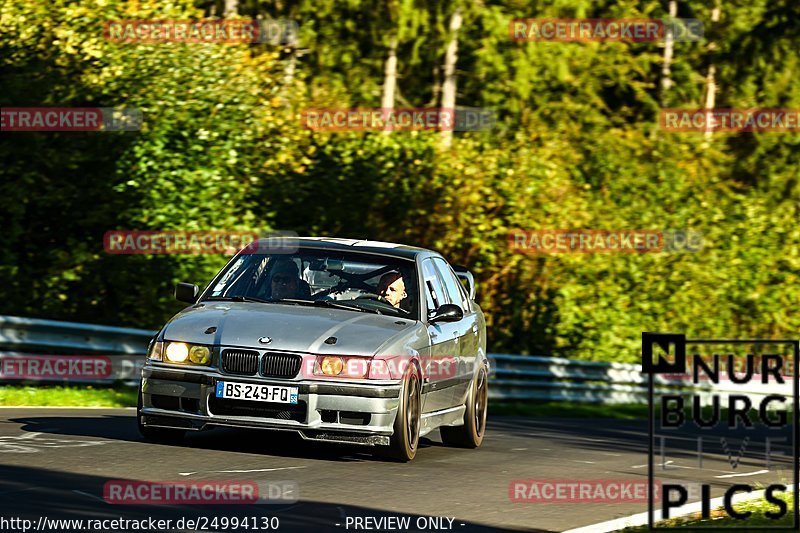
(325, 278)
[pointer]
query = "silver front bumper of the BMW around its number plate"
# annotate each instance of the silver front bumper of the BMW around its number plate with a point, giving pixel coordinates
(338, 411)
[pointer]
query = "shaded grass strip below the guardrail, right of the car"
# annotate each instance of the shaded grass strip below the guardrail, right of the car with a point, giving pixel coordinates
(535, 408)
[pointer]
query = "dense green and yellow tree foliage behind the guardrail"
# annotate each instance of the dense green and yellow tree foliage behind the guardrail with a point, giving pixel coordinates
(576, 146)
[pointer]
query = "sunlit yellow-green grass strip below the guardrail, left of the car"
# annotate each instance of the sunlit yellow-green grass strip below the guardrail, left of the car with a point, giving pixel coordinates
(63, 396)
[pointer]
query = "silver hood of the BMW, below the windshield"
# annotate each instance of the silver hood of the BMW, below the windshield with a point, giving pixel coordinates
(290, 327)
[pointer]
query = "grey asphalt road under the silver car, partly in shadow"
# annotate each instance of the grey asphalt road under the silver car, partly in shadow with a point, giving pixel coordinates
(54, 462)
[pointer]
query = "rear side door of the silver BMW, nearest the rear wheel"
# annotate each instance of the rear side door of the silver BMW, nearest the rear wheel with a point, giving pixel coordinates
(465, 331)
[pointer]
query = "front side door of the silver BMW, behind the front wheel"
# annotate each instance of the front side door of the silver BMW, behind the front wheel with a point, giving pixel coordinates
(443, 343)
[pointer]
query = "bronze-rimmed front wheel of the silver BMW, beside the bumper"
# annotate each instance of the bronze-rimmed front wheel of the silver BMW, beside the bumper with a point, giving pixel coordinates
(405, 439)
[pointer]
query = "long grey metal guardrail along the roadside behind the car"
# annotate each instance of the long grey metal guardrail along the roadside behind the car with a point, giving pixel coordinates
(513, 377)
